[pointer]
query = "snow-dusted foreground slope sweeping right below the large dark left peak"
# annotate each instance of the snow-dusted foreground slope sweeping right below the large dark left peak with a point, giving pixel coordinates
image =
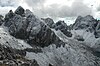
(72, 54)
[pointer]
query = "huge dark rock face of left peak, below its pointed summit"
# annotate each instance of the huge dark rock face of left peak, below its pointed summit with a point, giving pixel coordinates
(30, 28)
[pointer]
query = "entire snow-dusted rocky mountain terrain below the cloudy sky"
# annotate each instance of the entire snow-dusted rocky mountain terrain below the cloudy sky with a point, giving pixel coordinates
(26, 40)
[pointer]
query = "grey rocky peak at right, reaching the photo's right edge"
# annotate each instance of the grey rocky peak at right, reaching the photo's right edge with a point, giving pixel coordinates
(89, 24)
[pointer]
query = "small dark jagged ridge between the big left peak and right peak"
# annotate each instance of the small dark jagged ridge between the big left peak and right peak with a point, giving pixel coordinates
(60, 25)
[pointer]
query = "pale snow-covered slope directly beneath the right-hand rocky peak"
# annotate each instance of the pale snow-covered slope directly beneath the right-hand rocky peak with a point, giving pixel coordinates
(89, 38)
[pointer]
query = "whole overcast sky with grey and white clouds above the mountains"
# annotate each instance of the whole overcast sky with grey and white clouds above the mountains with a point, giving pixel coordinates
(66, 10)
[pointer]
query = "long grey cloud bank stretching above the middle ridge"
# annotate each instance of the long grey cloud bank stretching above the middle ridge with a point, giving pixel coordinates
(55, 10)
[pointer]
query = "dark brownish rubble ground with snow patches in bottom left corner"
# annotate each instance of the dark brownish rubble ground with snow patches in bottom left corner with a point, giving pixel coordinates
(11, 57)
